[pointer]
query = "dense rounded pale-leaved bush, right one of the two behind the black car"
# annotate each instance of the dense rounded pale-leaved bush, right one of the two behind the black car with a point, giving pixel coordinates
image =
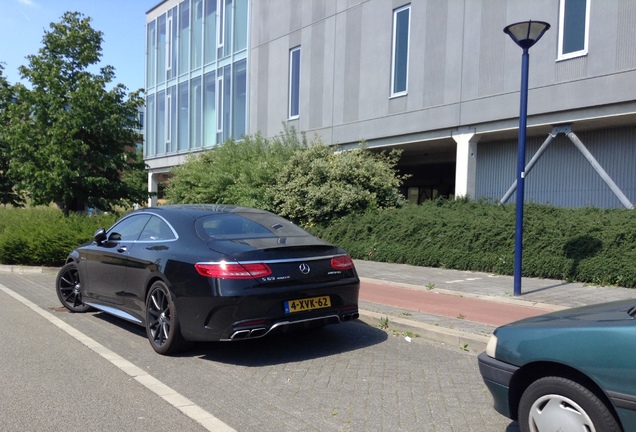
(320, 184)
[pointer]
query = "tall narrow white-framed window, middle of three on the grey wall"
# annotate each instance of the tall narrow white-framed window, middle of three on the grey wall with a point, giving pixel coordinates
(400, 60)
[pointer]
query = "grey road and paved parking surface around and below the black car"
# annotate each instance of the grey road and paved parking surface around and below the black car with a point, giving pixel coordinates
(85, 372)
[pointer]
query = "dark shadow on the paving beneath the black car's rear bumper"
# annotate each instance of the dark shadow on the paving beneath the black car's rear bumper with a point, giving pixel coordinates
(292, 346)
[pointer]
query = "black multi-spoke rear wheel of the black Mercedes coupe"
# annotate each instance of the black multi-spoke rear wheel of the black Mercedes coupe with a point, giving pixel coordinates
(162, 321)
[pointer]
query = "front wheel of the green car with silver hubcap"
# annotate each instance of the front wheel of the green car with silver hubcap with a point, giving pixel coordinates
(556, 403)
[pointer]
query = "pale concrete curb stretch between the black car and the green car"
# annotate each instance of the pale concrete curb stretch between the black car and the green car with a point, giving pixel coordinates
(462, 340)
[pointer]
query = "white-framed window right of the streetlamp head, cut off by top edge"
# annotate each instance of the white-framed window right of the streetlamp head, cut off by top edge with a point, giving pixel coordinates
(574, 18)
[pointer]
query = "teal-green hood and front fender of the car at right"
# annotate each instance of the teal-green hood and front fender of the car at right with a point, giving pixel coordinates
(598, 340)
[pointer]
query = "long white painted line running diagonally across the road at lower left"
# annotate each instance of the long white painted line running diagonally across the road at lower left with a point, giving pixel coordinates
(183, 404)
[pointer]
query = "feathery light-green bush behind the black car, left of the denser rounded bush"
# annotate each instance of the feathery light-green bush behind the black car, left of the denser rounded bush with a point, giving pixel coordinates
(236, 172)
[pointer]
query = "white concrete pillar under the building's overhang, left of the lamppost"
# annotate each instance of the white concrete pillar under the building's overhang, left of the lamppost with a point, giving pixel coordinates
(465, 164)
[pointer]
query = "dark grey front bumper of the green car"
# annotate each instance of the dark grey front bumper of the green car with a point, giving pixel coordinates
(497, 376)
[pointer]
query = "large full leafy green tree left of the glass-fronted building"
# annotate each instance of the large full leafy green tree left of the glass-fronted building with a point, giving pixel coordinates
(73, 141)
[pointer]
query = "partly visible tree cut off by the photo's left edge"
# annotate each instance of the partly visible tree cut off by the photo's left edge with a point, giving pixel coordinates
(8, 193)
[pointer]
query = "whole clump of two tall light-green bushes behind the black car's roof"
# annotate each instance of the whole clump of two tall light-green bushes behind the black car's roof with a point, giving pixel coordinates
(285, 175)
